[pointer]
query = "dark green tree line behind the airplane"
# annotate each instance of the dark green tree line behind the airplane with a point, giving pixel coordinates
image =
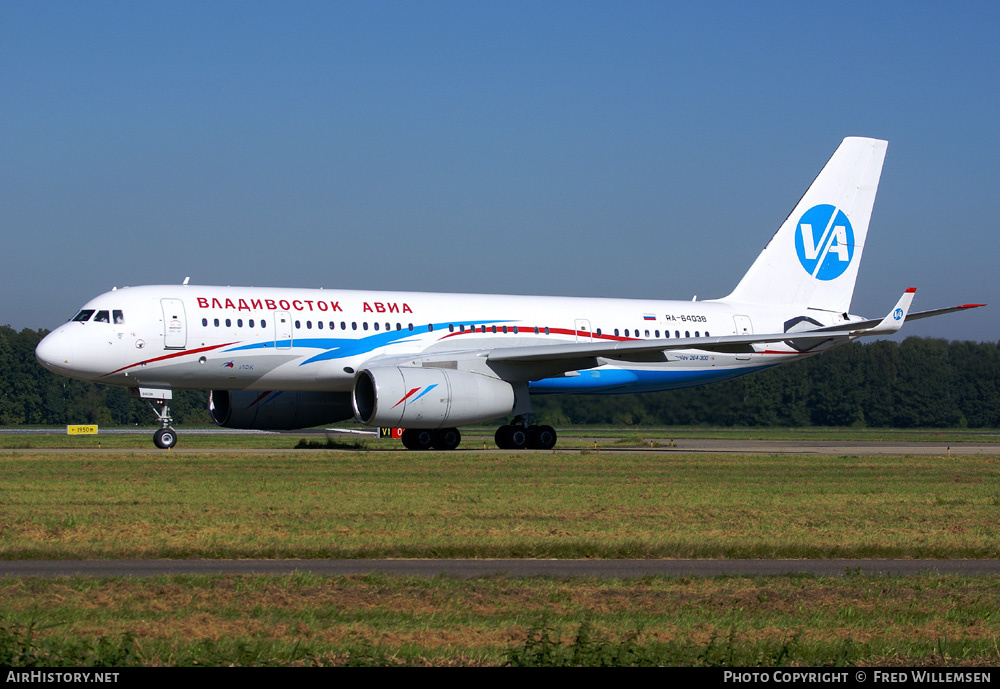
(919, 382)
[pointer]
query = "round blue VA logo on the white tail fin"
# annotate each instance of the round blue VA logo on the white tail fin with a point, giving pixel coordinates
(824, 241)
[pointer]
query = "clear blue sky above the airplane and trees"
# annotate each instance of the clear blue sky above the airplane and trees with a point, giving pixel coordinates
(599, 149)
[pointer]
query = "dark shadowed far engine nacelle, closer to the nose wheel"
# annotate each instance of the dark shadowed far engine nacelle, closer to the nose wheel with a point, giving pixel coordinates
(277, 411)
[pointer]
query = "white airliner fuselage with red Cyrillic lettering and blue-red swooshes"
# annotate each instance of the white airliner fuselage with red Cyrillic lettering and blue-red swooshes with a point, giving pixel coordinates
(254, 338)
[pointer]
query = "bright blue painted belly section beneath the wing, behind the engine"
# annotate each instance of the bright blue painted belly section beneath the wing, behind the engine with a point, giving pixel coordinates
(616, 381)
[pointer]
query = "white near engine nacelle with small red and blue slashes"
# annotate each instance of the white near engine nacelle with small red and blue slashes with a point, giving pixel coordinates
(428, 397)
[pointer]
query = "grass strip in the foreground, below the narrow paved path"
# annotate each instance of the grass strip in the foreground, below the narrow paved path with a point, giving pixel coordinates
(387, 620)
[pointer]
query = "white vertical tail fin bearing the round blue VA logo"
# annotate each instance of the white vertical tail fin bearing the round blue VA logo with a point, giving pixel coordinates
(812, 260)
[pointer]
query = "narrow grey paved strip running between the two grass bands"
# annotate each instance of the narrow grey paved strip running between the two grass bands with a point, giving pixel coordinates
(518, 568)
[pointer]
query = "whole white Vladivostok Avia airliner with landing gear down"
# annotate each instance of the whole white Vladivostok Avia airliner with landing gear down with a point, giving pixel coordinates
(281, 358)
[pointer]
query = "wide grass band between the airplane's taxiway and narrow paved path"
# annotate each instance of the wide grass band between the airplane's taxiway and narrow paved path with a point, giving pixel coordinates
(543, 505)
